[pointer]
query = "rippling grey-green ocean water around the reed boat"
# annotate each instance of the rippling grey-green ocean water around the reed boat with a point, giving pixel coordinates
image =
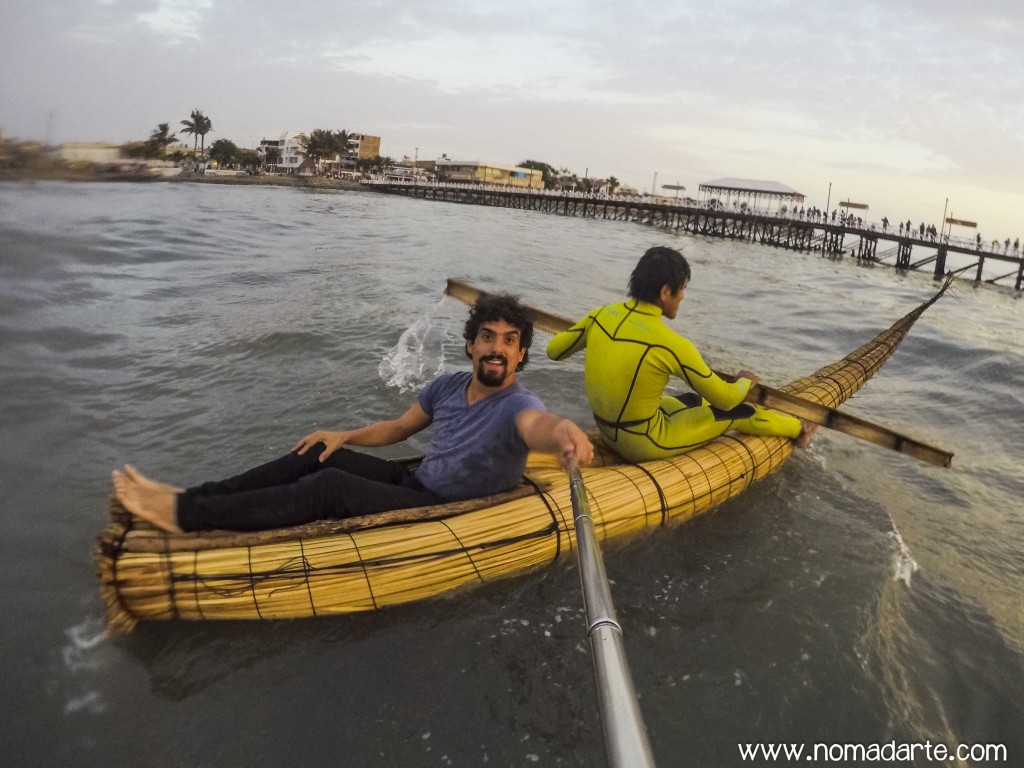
(855, 598)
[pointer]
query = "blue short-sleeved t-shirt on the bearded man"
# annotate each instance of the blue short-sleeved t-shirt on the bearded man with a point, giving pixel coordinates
(476, 450)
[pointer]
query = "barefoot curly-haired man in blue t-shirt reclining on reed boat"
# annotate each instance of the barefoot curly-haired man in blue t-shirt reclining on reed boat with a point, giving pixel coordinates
(485, 425)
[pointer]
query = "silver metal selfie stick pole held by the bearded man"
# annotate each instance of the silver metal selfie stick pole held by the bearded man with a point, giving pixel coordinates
(625, 736)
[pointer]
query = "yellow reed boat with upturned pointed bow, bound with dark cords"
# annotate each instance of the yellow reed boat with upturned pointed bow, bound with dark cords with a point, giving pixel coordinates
(371, 563)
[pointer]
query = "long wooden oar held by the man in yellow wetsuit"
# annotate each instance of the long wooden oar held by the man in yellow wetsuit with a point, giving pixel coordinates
(764, 396)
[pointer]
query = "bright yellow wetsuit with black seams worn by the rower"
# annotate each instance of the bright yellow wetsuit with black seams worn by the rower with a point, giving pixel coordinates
(631, 354)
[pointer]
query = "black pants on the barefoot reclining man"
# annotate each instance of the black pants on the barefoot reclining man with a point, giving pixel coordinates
(294, 490)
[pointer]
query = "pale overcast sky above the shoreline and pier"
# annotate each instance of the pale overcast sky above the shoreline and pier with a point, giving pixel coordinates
(901, 104)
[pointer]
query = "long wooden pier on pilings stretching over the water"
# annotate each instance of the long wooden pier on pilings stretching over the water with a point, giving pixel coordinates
(903, 250)
